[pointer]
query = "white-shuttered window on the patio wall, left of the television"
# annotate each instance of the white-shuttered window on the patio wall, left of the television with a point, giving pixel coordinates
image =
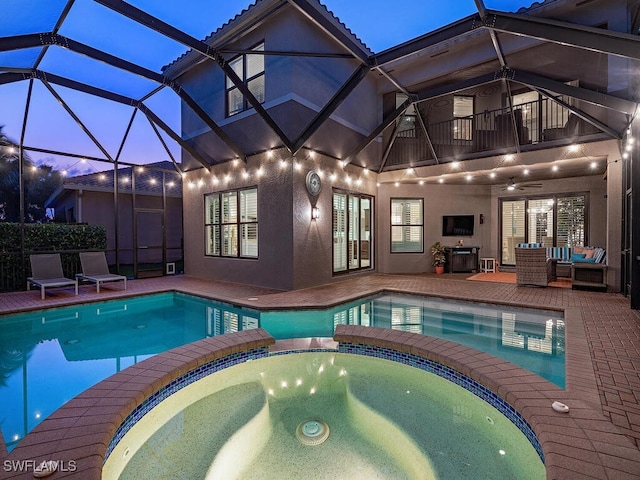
(407, 225)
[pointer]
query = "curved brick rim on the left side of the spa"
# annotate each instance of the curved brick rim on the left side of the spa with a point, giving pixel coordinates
(79, 433)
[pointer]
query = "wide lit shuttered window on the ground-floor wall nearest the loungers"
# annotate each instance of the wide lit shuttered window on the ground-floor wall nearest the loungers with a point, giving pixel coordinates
(231, 224)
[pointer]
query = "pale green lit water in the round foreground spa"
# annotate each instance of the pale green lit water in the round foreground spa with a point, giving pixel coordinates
(386, 420)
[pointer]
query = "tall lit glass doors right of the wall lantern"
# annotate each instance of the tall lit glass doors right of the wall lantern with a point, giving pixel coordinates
(352, 232)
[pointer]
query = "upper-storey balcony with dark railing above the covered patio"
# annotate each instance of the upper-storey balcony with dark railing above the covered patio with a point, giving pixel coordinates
(539, 124)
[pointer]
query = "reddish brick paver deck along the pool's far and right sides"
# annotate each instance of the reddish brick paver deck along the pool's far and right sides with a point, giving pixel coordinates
(603, 346)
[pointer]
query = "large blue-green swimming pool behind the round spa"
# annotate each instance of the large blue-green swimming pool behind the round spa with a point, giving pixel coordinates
(41, 351)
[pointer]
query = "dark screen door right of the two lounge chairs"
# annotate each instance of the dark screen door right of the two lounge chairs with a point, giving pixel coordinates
(149, 251)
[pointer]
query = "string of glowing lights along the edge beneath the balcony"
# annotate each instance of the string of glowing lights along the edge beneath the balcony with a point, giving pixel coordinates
(458, 172)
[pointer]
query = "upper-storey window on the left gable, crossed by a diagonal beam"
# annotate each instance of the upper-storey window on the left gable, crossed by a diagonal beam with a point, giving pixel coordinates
(250, 69)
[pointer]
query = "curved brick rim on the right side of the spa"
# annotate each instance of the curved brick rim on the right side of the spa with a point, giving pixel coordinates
(581, 444)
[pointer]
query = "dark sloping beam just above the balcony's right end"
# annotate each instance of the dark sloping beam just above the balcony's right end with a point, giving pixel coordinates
(534, 81)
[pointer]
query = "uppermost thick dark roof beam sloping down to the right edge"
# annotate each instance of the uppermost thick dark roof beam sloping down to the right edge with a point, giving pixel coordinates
(564, 33)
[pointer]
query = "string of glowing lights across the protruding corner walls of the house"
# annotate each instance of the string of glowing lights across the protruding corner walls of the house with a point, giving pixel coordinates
(282, 162)
